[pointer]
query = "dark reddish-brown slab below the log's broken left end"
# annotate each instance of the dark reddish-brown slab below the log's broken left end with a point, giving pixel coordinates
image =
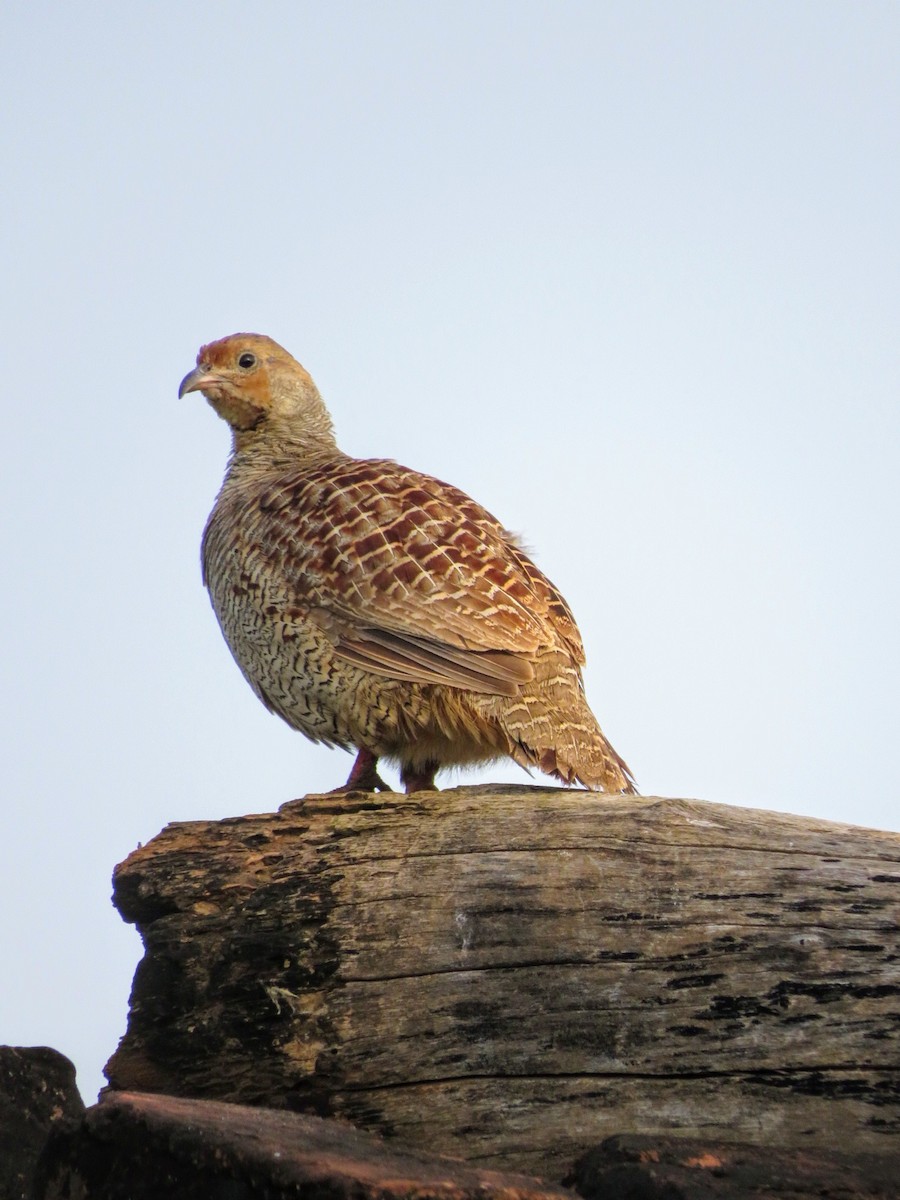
(155, 1148)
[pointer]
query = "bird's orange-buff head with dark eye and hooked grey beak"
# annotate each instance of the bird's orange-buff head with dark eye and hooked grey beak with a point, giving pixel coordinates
(256, 386)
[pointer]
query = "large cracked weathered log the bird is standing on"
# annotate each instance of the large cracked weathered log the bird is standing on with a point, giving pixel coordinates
(513, 976)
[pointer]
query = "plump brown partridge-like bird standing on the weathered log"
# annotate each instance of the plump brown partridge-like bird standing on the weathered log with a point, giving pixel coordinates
(375, 608)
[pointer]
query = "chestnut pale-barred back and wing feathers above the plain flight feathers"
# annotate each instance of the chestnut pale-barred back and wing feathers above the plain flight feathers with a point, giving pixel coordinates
(391, 549)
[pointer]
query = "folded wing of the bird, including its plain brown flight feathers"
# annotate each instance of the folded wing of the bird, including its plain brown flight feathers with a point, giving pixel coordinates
(411, 578)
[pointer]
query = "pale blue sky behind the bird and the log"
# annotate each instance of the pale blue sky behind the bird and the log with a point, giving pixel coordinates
(628, 273)
